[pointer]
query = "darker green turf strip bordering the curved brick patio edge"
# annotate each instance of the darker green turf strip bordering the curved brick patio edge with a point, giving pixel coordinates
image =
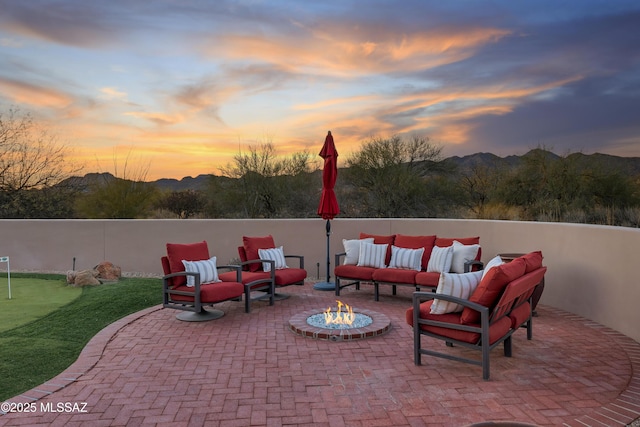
(35, 352)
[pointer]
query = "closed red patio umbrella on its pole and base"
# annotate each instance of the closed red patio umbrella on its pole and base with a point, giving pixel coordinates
(328, 207)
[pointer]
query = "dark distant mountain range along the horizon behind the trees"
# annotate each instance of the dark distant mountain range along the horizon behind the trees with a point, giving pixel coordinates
(628, 165)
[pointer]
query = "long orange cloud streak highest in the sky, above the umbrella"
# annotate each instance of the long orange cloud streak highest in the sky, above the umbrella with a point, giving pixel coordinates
(342, 51)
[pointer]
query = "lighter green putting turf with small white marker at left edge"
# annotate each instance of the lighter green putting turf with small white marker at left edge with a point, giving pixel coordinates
(32, 298)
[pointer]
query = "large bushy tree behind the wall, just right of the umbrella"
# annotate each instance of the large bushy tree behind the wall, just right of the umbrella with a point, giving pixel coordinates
(389, 176)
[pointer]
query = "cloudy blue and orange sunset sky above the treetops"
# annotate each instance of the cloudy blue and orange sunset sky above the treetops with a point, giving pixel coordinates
(185, 85)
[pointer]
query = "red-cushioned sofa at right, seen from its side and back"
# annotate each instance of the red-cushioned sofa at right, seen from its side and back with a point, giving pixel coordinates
(477, 310)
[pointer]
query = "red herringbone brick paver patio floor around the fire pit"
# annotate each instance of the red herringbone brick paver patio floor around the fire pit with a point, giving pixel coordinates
(249, 369)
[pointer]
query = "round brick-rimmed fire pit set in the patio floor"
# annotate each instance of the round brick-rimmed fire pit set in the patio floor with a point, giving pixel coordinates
(367, 324)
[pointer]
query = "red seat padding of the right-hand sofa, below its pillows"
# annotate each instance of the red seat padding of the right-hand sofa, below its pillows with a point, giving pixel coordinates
(496, 330)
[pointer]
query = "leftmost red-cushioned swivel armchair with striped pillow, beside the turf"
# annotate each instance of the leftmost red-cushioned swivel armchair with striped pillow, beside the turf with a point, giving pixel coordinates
(191, 282)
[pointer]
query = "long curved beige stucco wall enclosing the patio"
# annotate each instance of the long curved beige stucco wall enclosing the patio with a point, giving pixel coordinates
(592, 269)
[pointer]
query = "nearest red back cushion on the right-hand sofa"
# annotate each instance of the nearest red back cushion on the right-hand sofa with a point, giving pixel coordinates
(490, 288)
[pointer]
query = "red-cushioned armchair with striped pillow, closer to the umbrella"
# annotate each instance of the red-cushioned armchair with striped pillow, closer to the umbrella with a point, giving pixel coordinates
(261, 259)
